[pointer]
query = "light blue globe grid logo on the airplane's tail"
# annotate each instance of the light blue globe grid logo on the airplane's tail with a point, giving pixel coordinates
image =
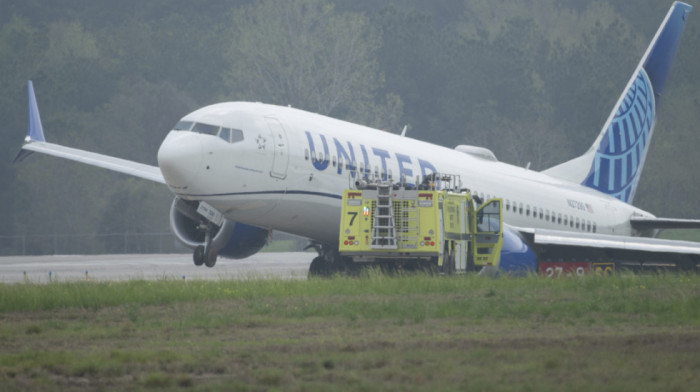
(620, 155)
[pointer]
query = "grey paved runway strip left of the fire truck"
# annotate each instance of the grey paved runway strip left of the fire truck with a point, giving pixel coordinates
(42, 269)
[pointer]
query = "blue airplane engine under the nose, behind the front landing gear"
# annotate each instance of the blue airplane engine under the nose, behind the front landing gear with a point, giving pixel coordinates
(233, 240)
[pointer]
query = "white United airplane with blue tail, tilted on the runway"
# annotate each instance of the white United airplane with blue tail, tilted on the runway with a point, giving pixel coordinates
(238, 170)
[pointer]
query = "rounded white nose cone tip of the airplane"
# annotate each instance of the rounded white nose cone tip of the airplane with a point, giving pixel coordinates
(180, 158)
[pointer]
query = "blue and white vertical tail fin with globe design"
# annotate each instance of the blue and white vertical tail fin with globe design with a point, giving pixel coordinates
(614, 162)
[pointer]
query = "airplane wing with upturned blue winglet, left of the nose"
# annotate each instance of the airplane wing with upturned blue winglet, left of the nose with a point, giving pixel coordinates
(36, 142)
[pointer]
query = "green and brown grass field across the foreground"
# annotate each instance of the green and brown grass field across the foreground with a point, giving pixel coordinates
(377, 332)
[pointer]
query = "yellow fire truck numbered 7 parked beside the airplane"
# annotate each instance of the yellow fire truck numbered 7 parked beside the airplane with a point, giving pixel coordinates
(436, 223)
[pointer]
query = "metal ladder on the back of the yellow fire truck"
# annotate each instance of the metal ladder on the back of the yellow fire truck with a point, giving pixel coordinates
(384, 227)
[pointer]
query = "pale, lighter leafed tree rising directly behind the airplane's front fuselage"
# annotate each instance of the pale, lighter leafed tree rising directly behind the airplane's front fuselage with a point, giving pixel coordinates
(304, 54)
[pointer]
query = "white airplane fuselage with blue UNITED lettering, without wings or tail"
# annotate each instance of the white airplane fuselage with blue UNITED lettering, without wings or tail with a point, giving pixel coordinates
(289, 170)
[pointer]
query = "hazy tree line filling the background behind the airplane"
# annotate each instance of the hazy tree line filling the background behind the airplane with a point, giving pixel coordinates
(533, 81)
